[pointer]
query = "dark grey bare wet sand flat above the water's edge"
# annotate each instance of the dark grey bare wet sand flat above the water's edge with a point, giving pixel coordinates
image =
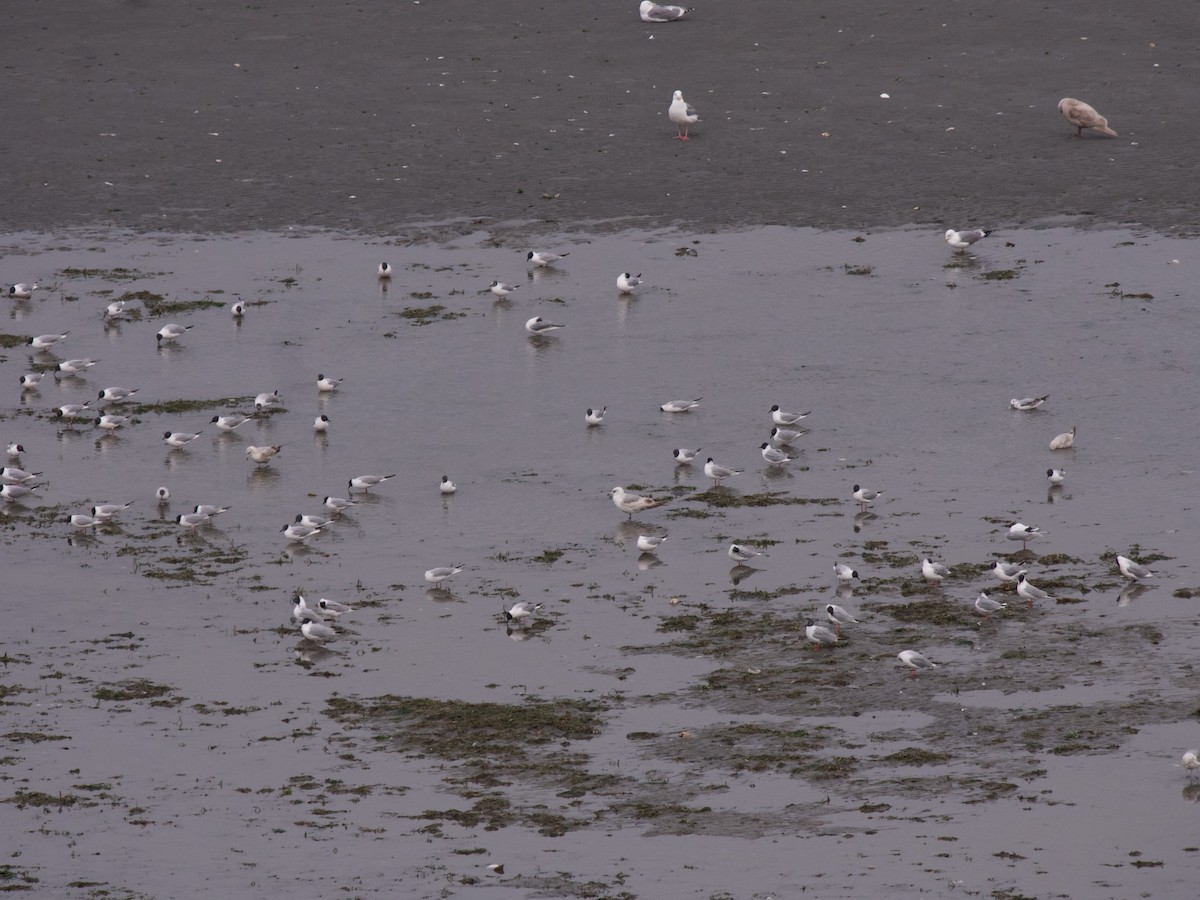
(377, 118)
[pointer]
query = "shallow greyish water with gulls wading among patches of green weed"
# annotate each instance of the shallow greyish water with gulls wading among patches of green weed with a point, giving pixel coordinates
(908, 367)
